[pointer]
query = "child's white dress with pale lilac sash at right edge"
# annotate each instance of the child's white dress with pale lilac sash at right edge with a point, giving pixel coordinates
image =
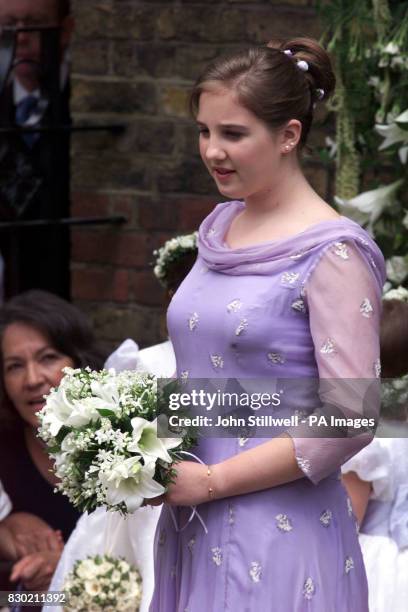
(384, 531)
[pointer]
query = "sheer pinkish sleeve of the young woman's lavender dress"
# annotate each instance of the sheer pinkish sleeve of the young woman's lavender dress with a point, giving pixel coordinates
(344, 303)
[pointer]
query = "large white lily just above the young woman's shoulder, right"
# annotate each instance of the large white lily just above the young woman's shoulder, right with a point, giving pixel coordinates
(368, 206)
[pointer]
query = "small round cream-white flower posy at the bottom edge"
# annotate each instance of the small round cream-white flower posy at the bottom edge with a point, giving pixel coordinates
(103, 583)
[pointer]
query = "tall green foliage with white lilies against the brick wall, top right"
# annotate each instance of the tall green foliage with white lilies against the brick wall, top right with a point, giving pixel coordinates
(368, 41)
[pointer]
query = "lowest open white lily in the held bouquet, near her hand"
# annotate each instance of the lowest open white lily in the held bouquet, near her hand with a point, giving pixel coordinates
(131, 482)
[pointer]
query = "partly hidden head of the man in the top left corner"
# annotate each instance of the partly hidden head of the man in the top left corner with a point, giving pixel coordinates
(20, 13)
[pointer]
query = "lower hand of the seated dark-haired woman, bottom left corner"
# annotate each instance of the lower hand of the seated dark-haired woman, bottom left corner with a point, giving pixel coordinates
(36, 570)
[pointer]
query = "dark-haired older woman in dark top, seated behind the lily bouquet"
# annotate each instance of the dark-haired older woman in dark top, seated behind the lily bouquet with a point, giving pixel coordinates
(40, 334)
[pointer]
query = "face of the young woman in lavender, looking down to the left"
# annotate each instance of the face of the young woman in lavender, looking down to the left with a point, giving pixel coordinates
(240, 151)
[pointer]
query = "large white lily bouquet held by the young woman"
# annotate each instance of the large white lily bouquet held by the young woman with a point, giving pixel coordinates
(101, 430)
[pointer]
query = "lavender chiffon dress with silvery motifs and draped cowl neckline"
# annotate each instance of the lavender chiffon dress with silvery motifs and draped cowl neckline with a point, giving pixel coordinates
(304, 306)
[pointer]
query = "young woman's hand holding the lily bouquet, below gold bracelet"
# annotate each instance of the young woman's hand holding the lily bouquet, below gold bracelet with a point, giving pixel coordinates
(190, 488)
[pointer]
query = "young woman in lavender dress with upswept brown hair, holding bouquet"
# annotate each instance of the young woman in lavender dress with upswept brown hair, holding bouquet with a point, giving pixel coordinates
(283, 287)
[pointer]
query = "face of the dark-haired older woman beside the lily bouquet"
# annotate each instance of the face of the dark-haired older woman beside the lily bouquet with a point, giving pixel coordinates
(31, 366)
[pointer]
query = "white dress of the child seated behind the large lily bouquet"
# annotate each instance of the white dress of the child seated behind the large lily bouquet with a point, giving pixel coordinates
(107, 532)
